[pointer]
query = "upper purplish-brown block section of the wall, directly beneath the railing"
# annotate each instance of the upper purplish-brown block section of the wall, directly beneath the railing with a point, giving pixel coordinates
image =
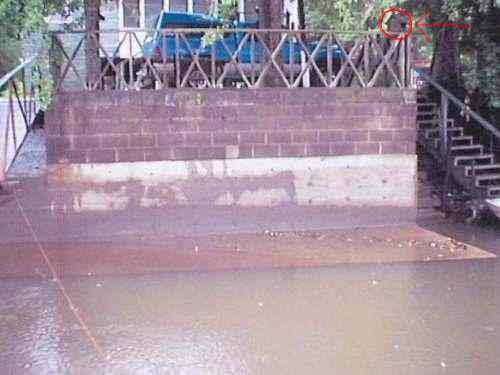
(119, 126)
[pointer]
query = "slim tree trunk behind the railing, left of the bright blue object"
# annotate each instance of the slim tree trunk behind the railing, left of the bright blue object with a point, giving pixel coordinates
(93, 61)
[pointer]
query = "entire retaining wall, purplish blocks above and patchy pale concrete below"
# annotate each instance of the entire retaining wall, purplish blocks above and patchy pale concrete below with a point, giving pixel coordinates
(236, 160)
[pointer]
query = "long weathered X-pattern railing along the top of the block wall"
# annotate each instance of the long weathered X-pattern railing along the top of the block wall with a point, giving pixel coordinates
(177, 58)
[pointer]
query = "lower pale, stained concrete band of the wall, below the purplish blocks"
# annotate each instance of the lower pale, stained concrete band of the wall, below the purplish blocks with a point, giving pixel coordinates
(347, 191)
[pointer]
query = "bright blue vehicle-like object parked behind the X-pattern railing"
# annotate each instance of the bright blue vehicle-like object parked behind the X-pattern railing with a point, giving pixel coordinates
(164, 46)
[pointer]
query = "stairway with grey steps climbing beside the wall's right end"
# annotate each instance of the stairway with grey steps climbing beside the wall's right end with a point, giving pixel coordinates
(472, 167)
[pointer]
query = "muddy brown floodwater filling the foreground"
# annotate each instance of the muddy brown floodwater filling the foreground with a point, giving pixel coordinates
(402, 318)
